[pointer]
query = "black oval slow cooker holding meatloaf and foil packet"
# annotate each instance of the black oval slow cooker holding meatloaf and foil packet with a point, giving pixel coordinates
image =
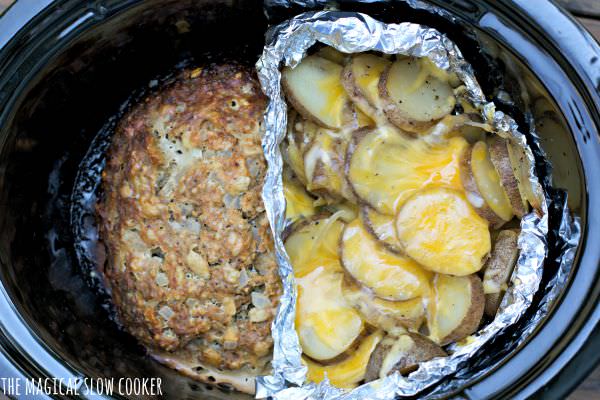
(67, 66)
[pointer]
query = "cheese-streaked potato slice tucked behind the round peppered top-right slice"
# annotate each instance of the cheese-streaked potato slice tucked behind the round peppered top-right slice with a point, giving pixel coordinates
(360, 79)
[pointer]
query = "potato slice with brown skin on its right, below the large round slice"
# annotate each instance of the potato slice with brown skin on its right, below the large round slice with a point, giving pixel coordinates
(455, 309)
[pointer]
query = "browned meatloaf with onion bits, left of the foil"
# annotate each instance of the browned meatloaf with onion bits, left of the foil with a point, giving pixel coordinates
(190, 257)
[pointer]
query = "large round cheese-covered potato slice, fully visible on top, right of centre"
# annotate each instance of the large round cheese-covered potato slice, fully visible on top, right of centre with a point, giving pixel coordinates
(439, 229)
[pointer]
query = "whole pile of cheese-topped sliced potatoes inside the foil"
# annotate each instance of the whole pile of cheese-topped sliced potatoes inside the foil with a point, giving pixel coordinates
(405, 187)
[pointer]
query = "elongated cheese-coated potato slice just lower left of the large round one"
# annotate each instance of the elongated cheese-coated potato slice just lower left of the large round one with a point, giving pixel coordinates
(389, 276)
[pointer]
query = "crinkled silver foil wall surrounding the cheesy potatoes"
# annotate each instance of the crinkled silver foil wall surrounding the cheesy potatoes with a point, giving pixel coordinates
(348, 32)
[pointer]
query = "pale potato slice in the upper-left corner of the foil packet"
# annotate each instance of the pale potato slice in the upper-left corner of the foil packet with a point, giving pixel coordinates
(313, 87)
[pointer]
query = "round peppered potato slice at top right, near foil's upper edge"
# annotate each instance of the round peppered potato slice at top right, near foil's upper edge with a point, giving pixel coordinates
(412, 97)
